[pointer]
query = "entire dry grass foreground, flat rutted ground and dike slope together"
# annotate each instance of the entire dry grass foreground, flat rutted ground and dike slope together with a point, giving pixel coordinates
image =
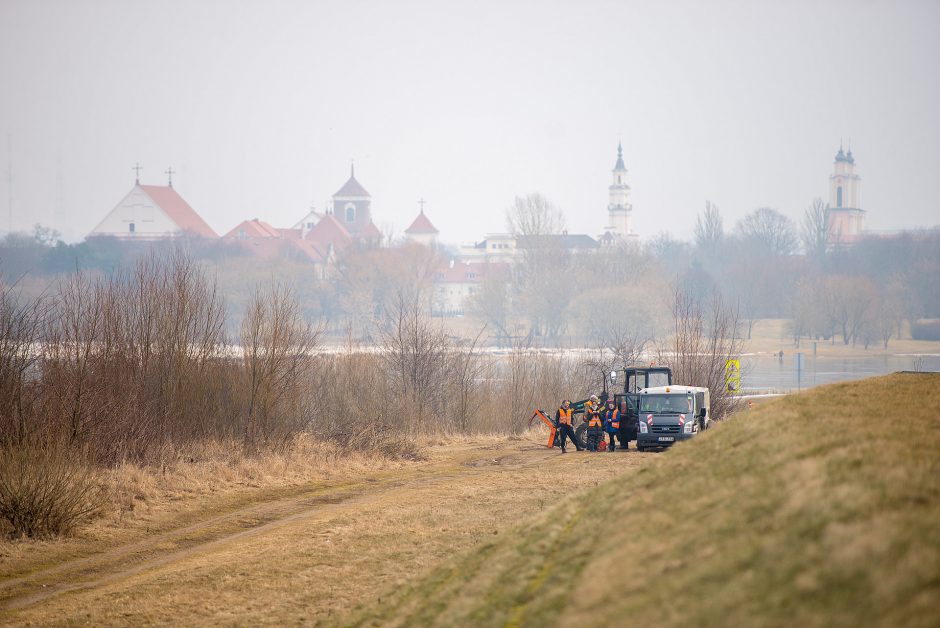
(815, 509)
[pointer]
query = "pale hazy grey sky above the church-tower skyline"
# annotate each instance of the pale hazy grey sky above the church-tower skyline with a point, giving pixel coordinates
(260, 106)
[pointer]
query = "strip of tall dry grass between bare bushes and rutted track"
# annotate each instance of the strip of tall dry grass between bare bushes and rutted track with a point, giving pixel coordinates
(202, 478)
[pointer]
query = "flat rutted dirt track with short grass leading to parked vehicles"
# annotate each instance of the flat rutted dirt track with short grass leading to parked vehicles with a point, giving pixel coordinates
(314, 556)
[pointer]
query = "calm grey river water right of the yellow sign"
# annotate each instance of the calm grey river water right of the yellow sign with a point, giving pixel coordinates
(795, 370)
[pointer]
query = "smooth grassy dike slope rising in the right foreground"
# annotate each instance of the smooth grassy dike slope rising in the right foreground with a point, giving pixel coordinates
(816, 509)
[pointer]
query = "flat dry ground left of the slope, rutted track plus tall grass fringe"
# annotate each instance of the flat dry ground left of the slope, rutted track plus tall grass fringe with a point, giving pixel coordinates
(261, 550)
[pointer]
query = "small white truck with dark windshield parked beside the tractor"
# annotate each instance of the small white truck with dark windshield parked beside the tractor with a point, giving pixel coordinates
(668, 414)
